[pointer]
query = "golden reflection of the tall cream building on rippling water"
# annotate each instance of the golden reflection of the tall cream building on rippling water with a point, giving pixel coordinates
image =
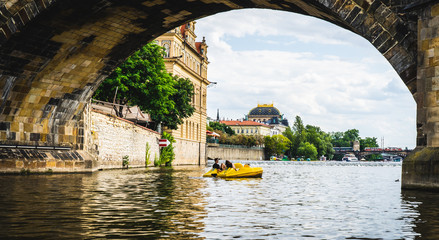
(159, 203)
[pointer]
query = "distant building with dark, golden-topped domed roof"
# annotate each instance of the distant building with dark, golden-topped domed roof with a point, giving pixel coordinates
(267, 113)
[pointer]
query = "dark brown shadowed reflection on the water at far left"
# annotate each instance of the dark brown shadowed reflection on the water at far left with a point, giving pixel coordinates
(32, 206)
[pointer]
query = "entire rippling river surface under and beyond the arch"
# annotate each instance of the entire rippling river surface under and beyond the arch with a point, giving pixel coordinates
(300, 200)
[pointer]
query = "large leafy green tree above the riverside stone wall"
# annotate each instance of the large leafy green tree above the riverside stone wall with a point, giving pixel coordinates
(142, 80)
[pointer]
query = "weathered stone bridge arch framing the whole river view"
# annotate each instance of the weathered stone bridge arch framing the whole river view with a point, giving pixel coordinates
(54, 53)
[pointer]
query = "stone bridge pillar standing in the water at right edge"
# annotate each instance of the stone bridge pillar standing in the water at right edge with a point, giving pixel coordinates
(420, 169)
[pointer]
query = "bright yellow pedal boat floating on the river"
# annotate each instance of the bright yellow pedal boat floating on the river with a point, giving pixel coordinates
(242, 171)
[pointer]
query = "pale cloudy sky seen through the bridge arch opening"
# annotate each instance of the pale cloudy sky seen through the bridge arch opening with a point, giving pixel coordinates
(329, 76)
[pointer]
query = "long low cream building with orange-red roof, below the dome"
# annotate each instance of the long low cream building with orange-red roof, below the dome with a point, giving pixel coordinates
(249, 127)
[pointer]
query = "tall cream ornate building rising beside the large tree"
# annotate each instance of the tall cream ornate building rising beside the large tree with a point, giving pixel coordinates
(188, 59)
